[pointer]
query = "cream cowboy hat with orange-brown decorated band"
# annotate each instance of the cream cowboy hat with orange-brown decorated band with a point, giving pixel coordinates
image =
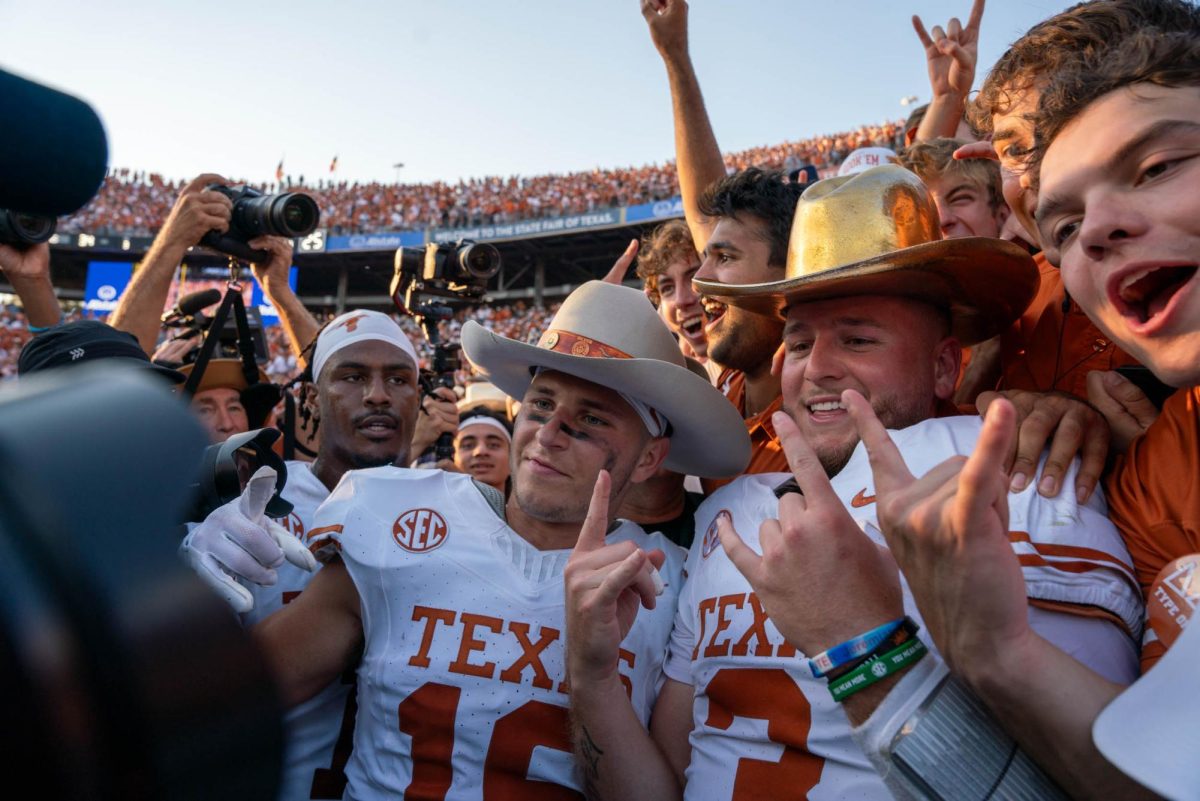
(613, 336)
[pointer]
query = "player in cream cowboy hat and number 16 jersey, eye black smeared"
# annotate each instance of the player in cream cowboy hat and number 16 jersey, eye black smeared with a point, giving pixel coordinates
(454, 598)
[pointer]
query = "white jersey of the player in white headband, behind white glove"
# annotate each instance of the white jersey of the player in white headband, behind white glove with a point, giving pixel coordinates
(316, 746)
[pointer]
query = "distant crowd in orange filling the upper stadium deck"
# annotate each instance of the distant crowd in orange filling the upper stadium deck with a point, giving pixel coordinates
(136, 203)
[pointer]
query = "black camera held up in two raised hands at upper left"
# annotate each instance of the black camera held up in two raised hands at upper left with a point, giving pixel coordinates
(289, 214)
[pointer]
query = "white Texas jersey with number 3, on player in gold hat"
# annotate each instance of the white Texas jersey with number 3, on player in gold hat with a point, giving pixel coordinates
(761, 721)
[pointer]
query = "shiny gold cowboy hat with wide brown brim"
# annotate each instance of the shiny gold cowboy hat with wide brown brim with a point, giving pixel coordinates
(878, 233)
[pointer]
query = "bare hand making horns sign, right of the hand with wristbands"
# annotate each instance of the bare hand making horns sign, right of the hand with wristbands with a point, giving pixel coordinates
(949, 533)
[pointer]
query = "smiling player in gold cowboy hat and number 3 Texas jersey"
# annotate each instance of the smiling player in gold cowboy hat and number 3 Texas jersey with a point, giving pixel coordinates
(877, 304)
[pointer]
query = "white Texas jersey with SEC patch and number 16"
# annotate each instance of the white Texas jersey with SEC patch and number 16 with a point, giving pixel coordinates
(463, 689)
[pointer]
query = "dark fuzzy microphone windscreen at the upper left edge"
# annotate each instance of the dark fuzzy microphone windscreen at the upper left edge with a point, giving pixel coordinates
(53, 149)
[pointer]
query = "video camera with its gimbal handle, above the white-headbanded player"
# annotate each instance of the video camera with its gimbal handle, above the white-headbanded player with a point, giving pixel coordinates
(458, 272)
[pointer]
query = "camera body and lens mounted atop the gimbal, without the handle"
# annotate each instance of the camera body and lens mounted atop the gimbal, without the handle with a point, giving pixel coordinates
(460, 269)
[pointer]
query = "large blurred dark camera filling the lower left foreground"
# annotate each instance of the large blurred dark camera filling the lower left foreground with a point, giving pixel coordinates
(125, 677)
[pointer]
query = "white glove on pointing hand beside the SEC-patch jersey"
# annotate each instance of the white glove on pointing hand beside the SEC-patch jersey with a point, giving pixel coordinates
(238, 541)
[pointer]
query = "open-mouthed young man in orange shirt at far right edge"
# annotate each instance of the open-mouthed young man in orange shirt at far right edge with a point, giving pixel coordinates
(1119, 144)
